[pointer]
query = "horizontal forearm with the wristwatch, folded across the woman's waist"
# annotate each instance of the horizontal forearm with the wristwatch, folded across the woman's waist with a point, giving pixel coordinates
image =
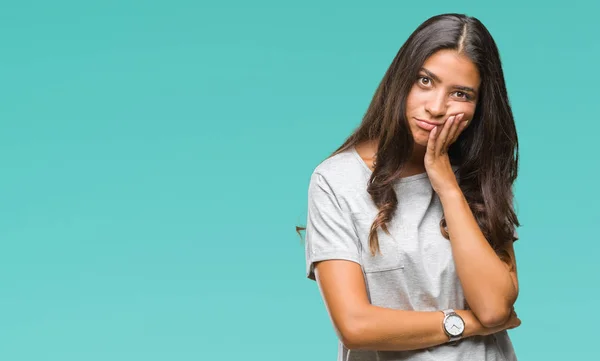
(385, 329)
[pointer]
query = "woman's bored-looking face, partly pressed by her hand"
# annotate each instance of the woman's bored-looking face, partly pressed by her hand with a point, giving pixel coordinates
(447, 84)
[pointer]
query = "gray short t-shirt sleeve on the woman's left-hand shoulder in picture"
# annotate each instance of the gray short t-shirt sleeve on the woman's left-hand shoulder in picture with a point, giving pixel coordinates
(329, 230)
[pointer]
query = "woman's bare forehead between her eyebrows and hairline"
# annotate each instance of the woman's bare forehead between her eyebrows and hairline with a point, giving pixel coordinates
(453, 68)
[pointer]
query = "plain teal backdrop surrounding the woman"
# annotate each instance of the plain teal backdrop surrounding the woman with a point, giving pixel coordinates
(155, 158)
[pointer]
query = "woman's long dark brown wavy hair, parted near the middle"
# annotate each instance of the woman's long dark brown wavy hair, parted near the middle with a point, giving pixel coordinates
(486, 152)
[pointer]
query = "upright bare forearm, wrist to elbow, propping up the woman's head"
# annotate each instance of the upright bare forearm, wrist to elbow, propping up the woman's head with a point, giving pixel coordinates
(486, 281)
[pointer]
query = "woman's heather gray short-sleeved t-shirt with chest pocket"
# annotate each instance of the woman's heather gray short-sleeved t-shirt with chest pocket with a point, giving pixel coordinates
(415, 270)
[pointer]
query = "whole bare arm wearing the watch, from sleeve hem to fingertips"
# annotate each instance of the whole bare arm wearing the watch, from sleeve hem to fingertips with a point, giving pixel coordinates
(360, 325)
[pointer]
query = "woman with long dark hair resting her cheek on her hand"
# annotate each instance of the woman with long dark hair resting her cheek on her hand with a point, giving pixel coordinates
(410, 222)
